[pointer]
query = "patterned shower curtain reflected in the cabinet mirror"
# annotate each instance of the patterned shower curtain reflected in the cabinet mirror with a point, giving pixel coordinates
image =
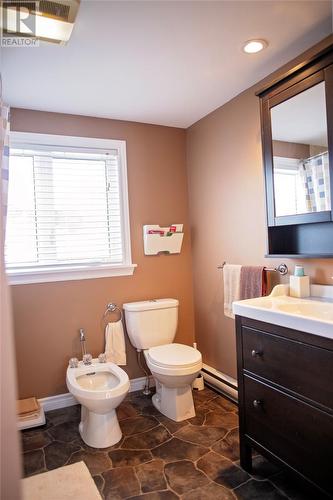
(315, 177)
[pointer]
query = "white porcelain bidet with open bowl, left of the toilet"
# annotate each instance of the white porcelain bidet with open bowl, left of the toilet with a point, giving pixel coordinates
(99, 388)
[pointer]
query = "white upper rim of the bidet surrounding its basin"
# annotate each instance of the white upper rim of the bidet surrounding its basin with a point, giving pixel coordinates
(97, 394)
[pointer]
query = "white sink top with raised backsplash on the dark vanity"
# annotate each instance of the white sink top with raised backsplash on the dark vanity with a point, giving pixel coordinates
(313, 314)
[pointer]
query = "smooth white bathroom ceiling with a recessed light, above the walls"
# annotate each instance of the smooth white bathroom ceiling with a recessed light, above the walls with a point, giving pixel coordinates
(164, 62)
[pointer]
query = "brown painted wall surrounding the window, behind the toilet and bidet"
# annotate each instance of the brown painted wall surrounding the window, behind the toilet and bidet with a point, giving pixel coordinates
(47, 316)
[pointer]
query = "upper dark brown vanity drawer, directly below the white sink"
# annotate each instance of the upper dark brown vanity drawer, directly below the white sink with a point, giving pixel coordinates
(302, 368)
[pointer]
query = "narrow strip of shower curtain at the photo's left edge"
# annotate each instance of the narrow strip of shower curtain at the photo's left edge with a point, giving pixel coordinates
(4, 160)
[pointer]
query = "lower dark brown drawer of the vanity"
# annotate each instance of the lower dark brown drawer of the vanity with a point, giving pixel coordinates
(296, 432)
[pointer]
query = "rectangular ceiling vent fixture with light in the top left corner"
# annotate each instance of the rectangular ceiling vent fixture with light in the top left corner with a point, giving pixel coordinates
(46, 20)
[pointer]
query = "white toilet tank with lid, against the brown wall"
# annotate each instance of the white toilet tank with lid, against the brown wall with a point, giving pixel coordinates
(151, 322)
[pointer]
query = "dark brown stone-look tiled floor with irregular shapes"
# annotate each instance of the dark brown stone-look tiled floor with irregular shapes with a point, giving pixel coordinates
(158, 458)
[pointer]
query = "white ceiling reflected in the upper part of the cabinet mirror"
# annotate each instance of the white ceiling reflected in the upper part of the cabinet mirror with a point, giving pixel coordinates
(302, 119)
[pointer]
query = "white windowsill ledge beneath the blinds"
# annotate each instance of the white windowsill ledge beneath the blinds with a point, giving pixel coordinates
(79, 272)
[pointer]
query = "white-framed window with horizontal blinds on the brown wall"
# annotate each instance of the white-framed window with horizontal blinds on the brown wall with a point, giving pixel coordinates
(67, 209)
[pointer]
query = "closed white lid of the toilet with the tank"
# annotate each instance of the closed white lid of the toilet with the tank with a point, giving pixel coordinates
(174, 355)
